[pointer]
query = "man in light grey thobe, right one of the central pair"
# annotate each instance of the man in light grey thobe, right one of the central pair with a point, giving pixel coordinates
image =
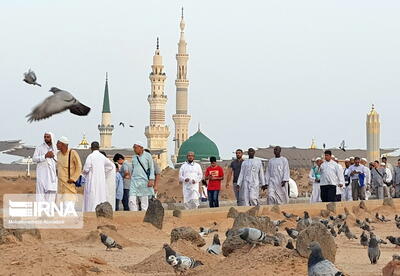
(277, 177)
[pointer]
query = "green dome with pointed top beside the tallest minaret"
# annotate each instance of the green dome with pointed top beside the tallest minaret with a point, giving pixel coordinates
(201, 145)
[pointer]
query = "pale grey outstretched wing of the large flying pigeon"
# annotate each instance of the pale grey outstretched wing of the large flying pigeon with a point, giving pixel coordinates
(54, 104)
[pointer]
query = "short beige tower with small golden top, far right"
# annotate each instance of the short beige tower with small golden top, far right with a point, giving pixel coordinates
(373, 135)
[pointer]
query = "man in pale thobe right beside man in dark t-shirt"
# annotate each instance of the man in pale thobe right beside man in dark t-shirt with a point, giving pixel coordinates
(251, 179)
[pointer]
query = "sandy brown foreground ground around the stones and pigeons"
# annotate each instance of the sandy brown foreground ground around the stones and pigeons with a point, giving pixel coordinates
(71, 252)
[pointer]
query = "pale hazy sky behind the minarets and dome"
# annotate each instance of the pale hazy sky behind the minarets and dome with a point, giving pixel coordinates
(261, 72)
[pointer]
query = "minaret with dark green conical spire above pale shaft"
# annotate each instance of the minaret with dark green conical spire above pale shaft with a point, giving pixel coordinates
(106, 127)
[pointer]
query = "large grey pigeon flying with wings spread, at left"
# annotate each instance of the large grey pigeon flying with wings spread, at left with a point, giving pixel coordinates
(58, 102)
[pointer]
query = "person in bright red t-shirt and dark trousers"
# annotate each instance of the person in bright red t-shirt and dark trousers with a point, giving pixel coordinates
(214, 175)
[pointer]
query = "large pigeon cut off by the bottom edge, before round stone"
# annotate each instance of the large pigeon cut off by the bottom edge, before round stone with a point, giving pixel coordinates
(318, 265)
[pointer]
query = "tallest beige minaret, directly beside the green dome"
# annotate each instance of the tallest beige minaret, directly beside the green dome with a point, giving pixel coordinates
(181, 118)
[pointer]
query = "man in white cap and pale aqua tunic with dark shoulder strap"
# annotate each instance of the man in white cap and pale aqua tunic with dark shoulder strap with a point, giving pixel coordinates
(142, 180)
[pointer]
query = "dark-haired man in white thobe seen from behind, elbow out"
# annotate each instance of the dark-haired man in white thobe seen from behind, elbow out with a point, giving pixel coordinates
(95, 169)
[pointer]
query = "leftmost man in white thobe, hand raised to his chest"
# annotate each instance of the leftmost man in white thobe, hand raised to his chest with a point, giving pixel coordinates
(46, 175)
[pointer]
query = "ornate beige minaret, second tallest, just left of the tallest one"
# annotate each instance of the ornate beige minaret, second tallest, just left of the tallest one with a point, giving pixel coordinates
(157, 132)
